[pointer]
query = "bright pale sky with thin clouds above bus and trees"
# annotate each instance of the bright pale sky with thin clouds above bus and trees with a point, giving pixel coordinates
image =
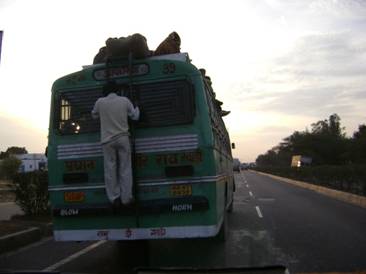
(278, 65)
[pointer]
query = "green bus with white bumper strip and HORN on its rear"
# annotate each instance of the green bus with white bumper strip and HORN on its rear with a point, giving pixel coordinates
(182, 161)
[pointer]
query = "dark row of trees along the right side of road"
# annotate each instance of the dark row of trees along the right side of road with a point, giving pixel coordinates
(326, 143)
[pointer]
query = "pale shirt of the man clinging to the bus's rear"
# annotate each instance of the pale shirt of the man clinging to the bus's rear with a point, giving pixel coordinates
(113, 111)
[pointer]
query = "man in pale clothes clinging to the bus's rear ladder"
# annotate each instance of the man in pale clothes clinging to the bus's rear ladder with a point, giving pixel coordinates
(113, 111)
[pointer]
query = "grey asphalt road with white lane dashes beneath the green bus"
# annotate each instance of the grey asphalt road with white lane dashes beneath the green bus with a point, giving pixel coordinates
(272, 223)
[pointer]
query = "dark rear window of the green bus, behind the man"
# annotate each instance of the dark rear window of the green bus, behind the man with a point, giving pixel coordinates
(161, 104)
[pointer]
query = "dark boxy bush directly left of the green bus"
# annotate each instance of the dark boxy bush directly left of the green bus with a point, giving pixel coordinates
(31, 191)
